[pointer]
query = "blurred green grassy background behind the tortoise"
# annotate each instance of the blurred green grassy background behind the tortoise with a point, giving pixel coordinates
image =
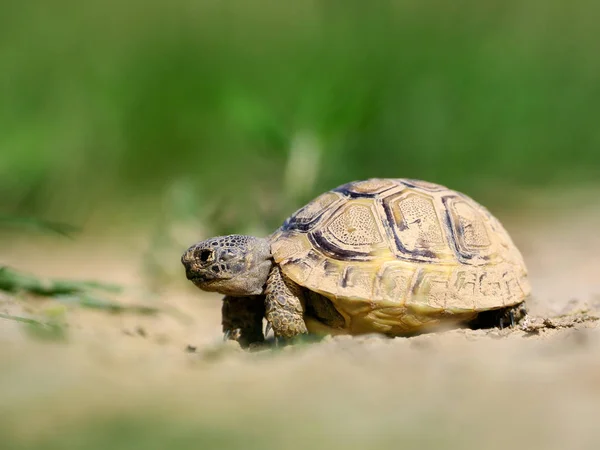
(244, 110)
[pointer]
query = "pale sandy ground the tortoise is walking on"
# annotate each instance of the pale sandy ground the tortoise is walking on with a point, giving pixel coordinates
(130, 381)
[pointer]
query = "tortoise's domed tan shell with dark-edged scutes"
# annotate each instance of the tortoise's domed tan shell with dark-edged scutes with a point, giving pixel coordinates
(394, 255)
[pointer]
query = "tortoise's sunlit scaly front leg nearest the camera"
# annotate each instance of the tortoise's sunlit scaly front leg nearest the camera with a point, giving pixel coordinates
(284, 309)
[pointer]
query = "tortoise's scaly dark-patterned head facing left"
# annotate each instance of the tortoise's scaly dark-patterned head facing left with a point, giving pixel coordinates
(232, 265)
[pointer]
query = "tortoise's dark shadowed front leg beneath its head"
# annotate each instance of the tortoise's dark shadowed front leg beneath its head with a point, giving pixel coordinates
(242, 319)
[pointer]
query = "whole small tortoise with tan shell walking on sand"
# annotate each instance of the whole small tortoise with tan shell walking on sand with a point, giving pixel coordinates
(388, 256)
